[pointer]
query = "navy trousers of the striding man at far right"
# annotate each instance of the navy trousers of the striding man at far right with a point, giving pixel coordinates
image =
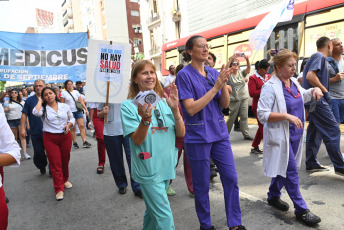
(323, 126)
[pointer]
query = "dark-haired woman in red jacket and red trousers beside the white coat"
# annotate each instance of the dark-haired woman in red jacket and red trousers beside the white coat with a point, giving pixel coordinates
(255, 85)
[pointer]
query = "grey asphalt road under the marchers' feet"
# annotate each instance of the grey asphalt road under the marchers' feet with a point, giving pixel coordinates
(94, 201)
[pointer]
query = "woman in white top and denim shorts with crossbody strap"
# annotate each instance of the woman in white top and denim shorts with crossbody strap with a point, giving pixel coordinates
(70, 96)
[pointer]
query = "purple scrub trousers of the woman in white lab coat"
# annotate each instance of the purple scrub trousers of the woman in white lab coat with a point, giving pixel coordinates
(291, 182)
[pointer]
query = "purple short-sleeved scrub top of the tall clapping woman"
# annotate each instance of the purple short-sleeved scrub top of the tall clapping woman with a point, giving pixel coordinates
(208, 125)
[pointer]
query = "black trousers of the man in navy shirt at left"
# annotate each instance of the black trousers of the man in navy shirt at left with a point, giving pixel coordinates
(39, 157)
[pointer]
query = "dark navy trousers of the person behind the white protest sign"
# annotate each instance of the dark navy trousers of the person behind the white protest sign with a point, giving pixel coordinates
(113, 145)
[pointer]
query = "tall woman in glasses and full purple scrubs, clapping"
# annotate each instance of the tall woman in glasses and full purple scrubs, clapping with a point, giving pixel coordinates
(203, 93)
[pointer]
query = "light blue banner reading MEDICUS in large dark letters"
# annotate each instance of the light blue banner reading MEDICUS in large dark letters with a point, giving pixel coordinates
(51, 57)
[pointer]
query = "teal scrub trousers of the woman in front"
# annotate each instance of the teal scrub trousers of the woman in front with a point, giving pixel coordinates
(158, 214)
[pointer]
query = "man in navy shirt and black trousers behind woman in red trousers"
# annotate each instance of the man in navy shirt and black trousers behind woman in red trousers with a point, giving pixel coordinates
(36, 127)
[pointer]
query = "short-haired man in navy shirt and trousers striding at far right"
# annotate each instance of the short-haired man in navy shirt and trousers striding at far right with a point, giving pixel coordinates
(322, 123)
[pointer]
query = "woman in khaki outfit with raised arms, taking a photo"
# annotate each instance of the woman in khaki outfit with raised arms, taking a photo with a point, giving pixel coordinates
(239, 96)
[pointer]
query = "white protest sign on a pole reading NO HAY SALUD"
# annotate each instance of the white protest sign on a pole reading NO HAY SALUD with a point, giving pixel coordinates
(107, 63)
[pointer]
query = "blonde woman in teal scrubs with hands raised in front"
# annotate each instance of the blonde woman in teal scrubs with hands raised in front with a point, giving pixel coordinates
(152, 132)
